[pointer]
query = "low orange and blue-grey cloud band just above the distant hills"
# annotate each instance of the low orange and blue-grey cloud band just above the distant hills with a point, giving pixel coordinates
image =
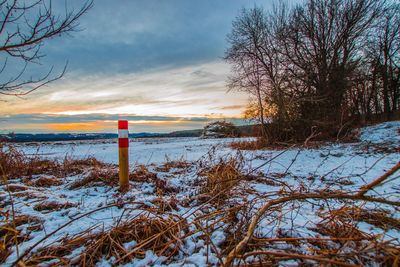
(39, 123)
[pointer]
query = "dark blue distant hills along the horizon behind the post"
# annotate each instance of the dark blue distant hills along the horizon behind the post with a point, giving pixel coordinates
(246, 130)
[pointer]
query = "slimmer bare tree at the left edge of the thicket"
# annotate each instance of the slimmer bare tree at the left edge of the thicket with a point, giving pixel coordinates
(255, 61)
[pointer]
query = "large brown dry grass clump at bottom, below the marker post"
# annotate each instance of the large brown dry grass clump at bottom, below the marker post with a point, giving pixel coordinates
(154, 233)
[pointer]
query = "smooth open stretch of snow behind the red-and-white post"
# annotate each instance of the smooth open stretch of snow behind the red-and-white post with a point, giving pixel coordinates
(141, 151)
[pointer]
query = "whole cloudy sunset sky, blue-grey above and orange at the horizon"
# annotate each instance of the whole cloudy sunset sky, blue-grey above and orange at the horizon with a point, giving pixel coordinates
(157, 63)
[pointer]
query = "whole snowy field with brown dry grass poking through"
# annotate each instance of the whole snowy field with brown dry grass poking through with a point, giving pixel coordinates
(215, 223)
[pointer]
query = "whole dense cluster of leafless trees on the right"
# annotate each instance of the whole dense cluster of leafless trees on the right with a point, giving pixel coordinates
(317, 65)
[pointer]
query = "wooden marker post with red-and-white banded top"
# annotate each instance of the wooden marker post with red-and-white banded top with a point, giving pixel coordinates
(123, 149)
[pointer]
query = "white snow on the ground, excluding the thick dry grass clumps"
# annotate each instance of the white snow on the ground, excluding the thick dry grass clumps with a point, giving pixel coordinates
(344, 167)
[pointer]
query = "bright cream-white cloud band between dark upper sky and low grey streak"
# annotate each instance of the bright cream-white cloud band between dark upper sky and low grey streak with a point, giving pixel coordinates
(190, 91)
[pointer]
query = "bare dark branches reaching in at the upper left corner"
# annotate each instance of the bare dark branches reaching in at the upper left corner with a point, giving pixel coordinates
(24, 27)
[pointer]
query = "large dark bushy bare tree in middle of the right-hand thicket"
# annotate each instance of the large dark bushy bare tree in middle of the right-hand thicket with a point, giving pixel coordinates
(322, 44)
